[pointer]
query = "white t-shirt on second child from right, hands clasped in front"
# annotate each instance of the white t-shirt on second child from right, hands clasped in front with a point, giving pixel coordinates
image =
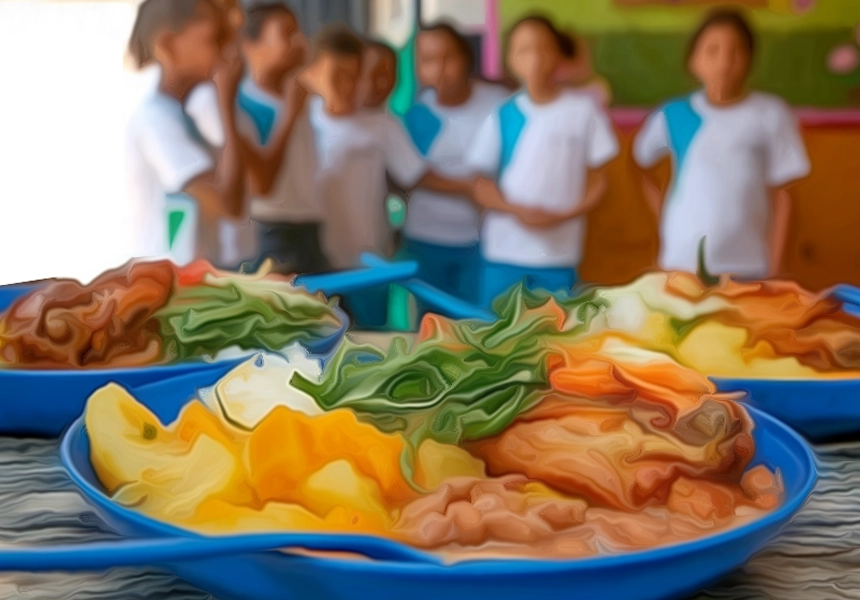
(542, 153)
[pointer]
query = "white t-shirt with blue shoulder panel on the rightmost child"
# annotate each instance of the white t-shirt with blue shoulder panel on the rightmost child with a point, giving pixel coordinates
(725, 159)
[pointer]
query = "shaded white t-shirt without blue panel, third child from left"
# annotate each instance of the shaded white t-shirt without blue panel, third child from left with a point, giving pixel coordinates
(353, 155)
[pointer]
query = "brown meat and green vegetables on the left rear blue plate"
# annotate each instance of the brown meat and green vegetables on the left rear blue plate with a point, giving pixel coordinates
(152, 313)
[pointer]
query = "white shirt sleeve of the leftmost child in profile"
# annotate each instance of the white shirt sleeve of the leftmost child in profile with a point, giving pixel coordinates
(174, 154)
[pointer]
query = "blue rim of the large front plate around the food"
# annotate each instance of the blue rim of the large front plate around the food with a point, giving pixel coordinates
(783, 514)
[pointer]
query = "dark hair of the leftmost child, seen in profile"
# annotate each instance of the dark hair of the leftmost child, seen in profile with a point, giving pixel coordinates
(154, 17)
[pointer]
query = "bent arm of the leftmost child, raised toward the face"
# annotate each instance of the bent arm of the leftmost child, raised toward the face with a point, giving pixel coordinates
(221, 191)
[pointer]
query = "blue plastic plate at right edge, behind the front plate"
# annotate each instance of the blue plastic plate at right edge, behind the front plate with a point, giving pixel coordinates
(817, 408)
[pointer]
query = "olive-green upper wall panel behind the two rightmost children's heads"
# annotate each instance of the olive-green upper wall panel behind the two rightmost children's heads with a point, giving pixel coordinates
(640, 49)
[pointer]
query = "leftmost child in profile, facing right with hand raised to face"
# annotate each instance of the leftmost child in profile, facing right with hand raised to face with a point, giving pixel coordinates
(167, 155)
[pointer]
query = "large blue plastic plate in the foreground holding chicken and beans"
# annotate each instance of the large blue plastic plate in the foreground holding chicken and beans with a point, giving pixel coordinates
(670, 572)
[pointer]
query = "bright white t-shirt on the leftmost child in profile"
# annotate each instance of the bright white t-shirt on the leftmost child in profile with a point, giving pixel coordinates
(164, 153)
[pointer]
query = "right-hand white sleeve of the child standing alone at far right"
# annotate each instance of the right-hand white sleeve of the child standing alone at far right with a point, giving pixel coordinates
(787, 160)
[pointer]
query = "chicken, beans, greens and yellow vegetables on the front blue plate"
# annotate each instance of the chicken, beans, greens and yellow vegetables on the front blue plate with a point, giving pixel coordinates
(471, 440)
